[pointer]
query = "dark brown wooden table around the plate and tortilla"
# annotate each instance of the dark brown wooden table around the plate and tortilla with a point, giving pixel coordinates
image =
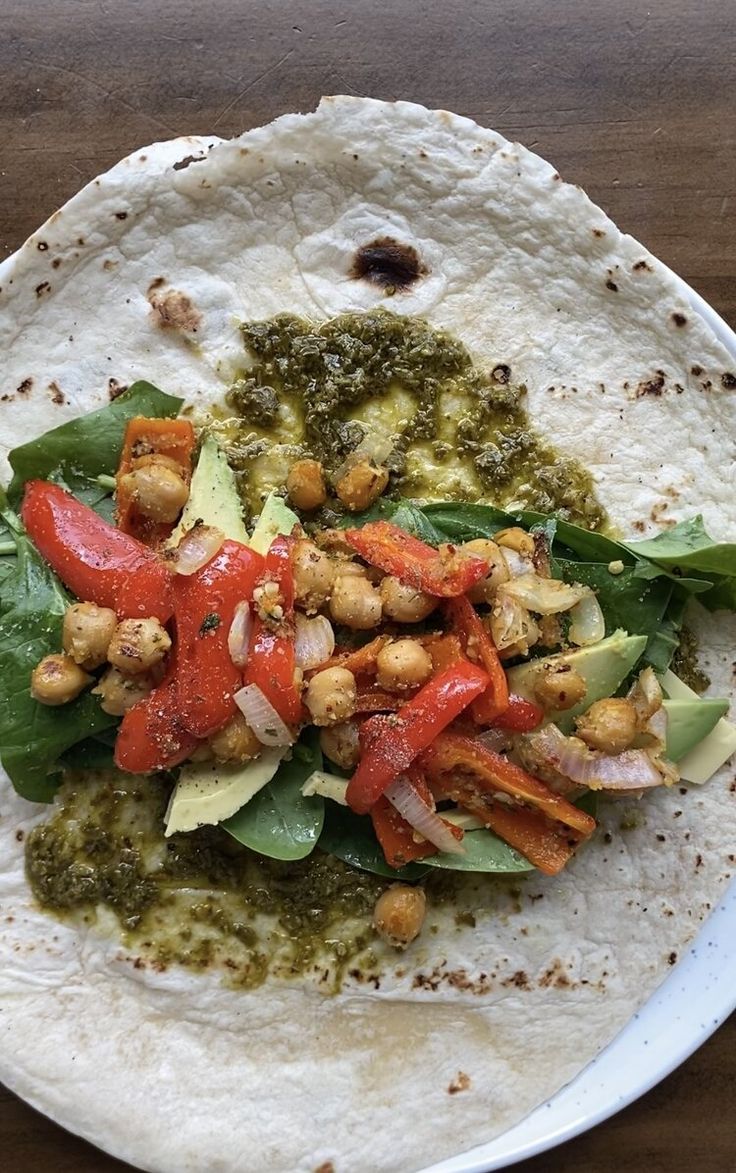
(633, 101)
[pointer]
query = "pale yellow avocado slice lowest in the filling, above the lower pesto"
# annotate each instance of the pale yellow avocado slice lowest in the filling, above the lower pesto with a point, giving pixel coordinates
(208, 794)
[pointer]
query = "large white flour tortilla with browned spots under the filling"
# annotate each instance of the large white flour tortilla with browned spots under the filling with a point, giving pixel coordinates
(145, 275)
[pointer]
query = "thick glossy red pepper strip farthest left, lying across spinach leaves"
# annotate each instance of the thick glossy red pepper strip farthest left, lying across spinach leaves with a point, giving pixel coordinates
(93, 559)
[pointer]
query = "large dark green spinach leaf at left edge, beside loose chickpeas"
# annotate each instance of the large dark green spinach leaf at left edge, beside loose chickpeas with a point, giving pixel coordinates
(32, 736)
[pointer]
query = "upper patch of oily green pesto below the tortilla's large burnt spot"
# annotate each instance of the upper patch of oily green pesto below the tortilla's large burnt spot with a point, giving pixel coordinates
(458, 433)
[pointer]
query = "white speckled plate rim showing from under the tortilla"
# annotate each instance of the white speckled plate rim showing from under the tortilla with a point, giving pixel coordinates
(698, 996)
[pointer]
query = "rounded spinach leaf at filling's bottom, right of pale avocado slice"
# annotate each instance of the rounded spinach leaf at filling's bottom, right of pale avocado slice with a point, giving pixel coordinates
(280, 822)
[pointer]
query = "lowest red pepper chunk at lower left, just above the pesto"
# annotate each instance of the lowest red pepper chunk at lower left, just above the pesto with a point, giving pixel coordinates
(151, 735)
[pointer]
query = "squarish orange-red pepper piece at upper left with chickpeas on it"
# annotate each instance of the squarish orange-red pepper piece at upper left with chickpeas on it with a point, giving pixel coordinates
(173, 439)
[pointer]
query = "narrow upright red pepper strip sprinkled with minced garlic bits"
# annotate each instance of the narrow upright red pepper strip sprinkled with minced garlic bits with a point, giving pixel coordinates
(272, 660)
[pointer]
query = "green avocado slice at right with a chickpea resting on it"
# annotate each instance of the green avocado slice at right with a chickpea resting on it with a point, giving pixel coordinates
(604, 667)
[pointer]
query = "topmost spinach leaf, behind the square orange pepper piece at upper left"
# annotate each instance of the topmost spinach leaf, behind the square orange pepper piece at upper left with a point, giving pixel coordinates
(79, 452)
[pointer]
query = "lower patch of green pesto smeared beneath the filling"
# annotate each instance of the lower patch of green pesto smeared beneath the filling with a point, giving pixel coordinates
(200, 900)
